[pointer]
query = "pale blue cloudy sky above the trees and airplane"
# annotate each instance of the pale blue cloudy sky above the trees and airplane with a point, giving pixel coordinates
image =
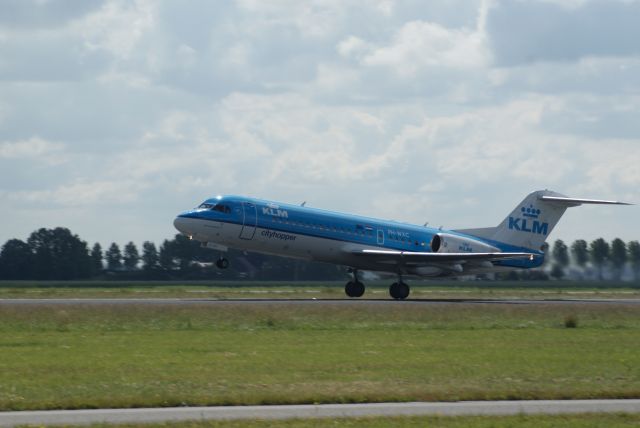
(117, 115)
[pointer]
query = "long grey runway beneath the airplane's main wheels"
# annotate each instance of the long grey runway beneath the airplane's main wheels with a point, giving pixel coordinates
(345, 301)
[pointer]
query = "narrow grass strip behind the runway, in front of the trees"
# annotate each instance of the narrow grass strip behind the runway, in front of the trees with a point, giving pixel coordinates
(320, 290)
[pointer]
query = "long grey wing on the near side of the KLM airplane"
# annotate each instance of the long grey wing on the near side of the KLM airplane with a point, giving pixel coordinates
(424, 257)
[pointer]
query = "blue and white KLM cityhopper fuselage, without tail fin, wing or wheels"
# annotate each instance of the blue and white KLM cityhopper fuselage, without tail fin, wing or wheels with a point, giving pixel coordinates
(314, 234)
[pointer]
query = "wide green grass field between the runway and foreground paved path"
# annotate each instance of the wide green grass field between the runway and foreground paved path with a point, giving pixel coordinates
(129, 356)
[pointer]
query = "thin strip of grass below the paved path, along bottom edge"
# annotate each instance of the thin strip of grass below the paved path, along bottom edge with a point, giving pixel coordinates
(522, 421)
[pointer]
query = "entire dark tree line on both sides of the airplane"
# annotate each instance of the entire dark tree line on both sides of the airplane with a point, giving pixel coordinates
(58, 254)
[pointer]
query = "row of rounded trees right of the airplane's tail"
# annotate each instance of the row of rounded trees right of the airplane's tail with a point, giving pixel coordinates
(613, 257)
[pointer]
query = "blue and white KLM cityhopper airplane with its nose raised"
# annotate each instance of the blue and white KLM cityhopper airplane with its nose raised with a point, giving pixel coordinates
(371, 244)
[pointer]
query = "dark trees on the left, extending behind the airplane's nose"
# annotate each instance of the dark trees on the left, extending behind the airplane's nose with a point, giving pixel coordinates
(58, 254)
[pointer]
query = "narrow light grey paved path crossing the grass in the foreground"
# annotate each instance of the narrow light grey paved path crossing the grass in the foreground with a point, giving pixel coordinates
(8, 419)
